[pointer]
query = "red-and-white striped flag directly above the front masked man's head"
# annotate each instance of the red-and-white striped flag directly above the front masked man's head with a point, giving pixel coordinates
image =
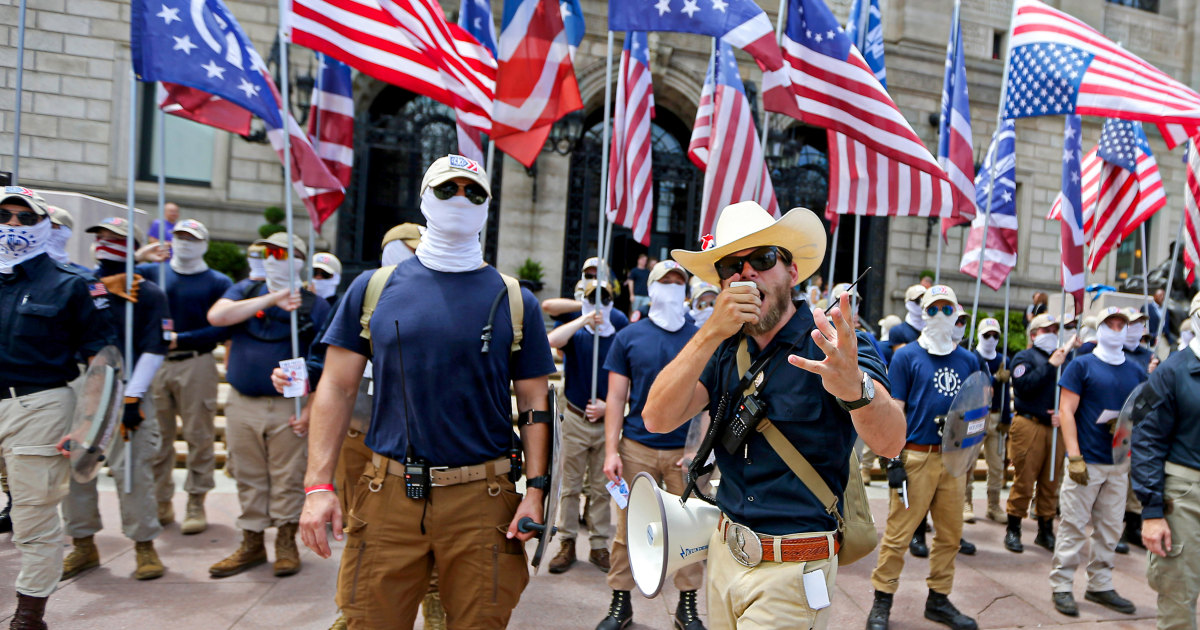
(406, 44)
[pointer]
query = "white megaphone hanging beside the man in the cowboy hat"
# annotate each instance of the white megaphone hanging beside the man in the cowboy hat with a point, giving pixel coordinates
(665, 535)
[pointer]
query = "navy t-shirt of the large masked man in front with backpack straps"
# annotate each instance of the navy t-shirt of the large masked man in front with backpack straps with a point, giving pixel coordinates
(454, 400)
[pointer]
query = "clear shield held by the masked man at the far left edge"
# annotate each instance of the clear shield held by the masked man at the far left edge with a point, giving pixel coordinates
(98, 415)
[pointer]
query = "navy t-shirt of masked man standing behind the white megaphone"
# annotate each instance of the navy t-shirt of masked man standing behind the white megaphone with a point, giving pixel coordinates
(640, 352)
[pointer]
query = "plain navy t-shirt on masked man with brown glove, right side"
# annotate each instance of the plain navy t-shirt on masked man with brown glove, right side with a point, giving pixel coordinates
(1101, 388)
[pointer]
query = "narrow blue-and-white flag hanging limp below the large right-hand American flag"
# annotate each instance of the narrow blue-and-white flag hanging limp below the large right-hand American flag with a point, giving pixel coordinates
(1000, 255)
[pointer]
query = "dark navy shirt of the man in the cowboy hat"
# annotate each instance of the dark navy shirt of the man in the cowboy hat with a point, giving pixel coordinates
(758, 489)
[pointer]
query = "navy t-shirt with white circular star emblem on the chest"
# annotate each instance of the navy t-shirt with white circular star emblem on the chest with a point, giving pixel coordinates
(928, 383)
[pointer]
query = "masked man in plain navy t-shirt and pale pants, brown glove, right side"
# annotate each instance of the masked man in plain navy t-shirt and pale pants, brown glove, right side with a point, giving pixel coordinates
(1095, 389)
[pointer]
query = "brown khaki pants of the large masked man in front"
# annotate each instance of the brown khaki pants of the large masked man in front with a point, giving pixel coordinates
(393, 544)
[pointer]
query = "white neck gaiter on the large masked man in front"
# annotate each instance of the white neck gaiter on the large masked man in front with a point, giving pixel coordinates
(452, 236)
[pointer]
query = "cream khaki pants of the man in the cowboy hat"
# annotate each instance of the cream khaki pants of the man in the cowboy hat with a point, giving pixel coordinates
(767, 597)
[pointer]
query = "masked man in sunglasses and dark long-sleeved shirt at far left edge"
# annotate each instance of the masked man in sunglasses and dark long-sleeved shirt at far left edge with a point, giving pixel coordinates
(51, 315)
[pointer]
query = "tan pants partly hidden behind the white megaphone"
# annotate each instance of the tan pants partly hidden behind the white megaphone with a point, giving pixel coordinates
(661, 465)
